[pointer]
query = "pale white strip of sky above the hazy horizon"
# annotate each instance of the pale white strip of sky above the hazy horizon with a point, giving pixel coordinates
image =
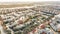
(26, 0)
